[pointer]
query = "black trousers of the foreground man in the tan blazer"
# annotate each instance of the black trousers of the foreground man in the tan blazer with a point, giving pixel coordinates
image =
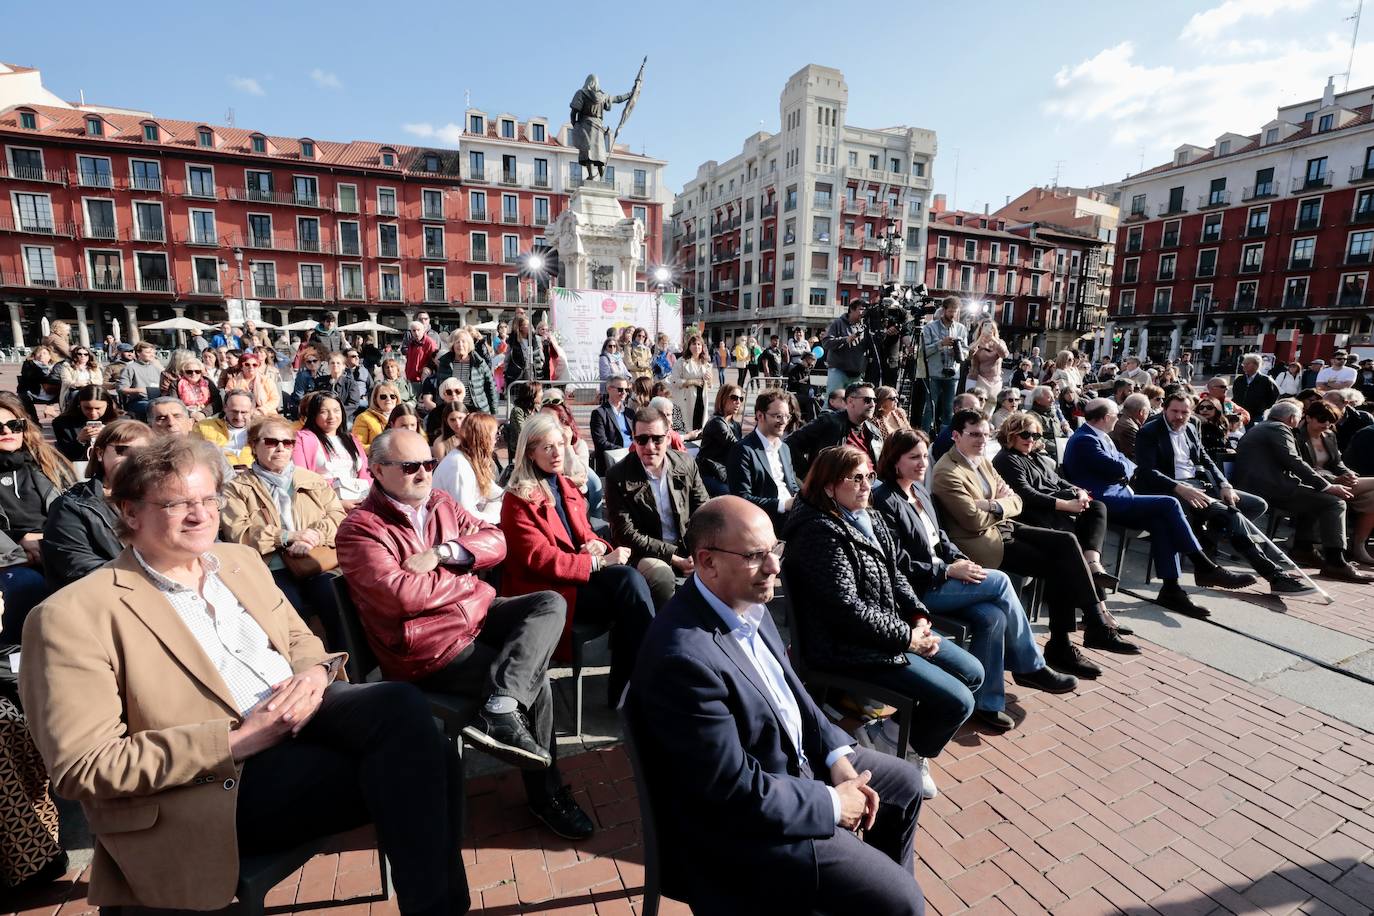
(370, 755)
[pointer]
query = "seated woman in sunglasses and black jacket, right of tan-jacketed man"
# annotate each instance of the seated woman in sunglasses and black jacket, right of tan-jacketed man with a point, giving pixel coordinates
(1048, 499)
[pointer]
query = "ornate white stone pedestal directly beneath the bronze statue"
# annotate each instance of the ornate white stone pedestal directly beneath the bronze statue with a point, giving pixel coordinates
(598, 245)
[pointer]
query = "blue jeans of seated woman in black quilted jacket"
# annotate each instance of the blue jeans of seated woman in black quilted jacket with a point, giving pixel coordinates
(942, 685)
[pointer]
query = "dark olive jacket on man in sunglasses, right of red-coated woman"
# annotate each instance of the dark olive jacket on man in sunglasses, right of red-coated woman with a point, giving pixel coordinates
(633, 509)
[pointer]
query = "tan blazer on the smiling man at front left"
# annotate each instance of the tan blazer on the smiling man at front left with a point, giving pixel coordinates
(134, 722)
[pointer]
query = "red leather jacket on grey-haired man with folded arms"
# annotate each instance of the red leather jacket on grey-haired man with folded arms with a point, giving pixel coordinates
(417, 623)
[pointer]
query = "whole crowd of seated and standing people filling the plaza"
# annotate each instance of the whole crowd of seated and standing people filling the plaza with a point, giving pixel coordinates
(172, 560)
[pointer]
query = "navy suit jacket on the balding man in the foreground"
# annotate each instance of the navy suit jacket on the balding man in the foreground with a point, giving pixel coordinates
(728, 782)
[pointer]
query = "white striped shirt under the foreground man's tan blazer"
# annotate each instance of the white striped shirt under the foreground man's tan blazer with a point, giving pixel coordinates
(232, 638)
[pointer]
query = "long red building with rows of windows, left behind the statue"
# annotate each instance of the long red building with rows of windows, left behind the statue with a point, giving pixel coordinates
(119, 215)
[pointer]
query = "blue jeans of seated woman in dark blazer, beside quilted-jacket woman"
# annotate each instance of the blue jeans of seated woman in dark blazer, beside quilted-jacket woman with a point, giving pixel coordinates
(1001, 634)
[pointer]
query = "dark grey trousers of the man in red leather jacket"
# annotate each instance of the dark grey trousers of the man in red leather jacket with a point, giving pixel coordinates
(510, 659)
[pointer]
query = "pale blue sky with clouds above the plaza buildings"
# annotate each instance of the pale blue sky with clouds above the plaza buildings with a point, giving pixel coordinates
(1019, 94)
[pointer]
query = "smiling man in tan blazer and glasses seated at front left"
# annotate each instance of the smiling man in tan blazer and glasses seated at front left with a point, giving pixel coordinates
(166, 690)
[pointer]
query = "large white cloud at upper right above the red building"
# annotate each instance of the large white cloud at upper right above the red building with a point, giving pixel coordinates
(1163, 106)
